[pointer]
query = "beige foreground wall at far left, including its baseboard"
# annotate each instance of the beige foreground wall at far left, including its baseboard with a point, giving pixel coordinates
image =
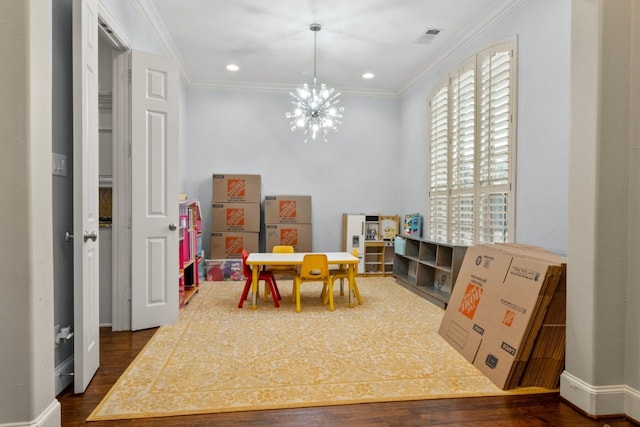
(26, 258)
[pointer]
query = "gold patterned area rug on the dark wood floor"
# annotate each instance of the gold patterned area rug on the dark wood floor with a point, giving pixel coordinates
(219, 358)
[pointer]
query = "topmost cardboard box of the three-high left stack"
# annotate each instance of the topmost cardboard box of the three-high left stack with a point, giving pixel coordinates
(236, 188)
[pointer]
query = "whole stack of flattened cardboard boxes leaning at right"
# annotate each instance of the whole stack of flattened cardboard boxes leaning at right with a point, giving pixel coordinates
(503, 311)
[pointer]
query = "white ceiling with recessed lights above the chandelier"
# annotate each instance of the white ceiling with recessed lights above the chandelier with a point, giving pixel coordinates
(271, 42)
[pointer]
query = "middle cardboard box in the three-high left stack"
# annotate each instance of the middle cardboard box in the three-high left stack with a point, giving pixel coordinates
(235, 217)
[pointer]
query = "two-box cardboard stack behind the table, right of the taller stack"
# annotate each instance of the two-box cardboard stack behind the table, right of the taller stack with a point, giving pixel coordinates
(288, 222)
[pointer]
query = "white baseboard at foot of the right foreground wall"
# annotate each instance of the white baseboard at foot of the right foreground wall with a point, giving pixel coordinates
(600, 400)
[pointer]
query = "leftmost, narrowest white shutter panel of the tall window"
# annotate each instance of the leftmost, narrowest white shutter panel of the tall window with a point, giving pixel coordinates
(439, 165)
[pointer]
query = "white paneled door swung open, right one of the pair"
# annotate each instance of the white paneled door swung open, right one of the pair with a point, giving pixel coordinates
(154, 203)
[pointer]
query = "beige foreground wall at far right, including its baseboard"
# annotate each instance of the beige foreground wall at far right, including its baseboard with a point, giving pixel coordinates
(602, 362)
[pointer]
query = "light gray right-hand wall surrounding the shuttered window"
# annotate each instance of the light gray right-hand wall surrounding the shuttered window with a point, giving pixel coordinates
(542, 120)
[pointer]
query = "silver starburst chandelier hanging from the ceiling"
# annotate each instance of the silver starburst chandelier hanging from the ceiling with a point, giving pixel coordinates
(315, 108)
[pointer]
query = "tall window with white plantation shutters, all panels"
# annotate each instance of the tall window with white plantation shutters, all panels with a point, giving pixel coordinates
(472, 151)
